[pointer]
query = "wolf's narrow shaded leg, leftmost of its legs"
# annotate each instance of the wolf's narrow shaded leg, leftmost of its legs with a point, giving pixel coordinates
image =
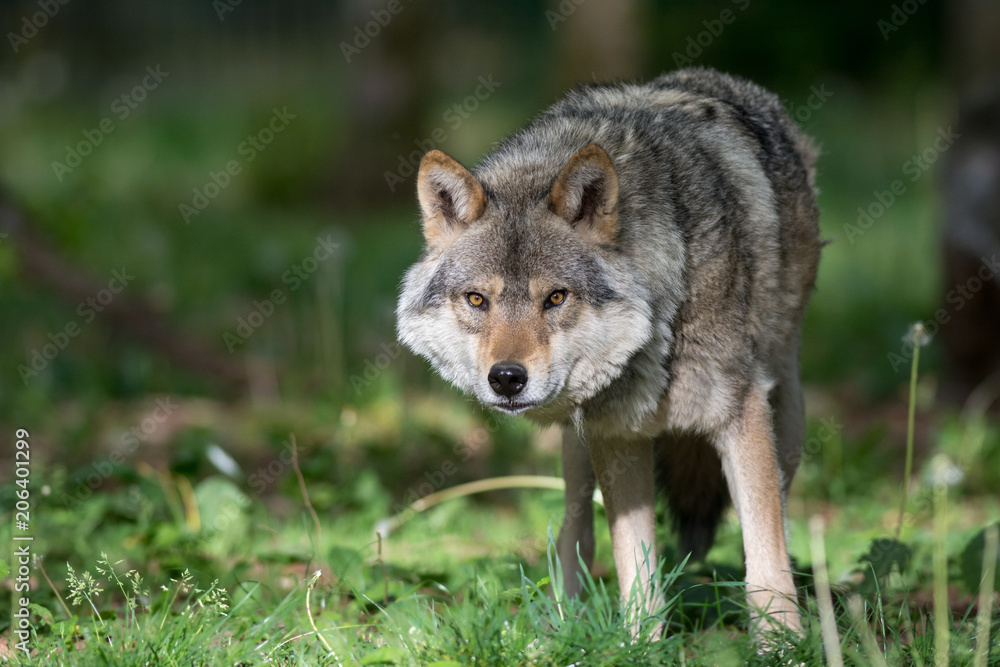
(577, 531)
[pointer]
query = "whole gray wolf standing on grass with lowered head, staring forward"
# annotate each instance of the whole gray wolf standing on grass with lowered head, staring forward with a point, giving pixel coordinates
(634, 266)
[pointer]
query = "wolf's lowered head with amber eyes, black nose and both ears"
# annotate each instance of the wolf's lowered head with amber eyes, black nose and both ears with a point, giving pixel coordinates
(521, 297)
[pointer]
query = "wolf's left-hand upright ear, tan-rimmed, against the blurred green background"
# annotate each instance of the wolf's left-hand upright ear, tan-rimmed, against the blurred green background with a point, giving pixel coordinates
(450, 198)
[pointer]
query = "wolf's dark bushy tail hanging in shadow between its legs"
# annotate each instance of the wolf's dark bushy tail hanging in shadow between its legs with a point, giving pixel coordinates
(689, 474)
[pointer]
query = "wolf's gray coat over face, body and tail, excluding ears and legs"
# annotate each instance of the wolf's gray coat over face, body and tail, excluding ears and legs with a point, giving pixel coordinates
(696, 301)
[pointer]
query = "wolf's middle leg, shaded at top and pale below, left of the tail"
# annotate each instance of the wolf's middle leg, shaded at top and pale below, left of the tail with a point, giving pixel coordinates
(624, 470)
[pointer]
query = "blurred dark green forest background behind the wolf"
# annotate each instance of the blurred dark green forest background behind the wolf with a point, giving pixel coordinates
(206, 208)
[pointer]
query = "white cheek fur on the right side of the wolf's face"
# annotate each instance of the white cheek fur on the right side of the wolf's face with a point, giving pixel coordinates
(601, 344)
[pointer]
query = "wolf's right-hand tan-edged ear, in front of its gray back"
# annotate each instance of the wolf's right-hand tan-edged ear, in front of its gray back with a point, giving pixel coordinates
(586, 195)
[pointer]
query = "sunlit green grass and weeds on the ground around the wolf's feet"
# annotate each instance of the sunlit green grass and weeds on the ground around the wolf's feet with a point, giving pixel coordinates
(464, 581)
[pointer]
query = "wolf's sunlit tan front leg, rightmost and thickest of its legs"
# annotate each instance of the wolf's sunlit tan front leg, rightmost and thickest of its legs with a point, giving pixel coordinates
(751, 467)
